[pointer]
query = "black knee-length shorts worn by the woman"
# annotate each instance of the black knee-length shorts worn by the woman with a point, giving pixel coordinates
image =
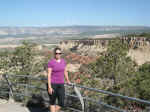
(59, 94)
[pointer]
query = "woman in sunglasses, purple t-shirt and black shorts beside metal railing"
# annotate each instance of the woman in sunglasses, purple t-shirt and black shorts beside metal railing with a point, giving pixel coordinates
(56, 73)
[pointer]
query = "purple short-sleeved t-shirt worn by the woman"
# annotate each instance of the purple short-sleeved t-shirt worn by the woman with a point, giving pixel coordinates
(58, 68)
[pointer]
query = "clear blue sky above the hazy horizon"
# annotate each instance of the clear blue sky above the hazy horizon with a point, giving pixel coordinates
(74, 12)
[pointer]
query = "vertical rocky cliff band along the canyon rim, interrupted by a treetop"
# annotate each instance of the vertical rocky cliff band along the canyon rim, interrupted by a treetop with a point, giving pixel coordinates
(133, 42)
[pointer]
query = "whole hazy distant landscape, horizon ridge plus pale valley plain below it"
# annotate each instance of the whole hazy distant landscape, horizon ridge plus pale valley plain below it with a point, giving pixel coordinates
(55, 34)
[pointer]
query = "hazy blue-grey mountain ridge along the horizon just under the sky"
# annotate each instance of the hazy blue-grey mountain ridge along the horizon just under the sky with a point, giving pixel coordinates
(75, 29)
